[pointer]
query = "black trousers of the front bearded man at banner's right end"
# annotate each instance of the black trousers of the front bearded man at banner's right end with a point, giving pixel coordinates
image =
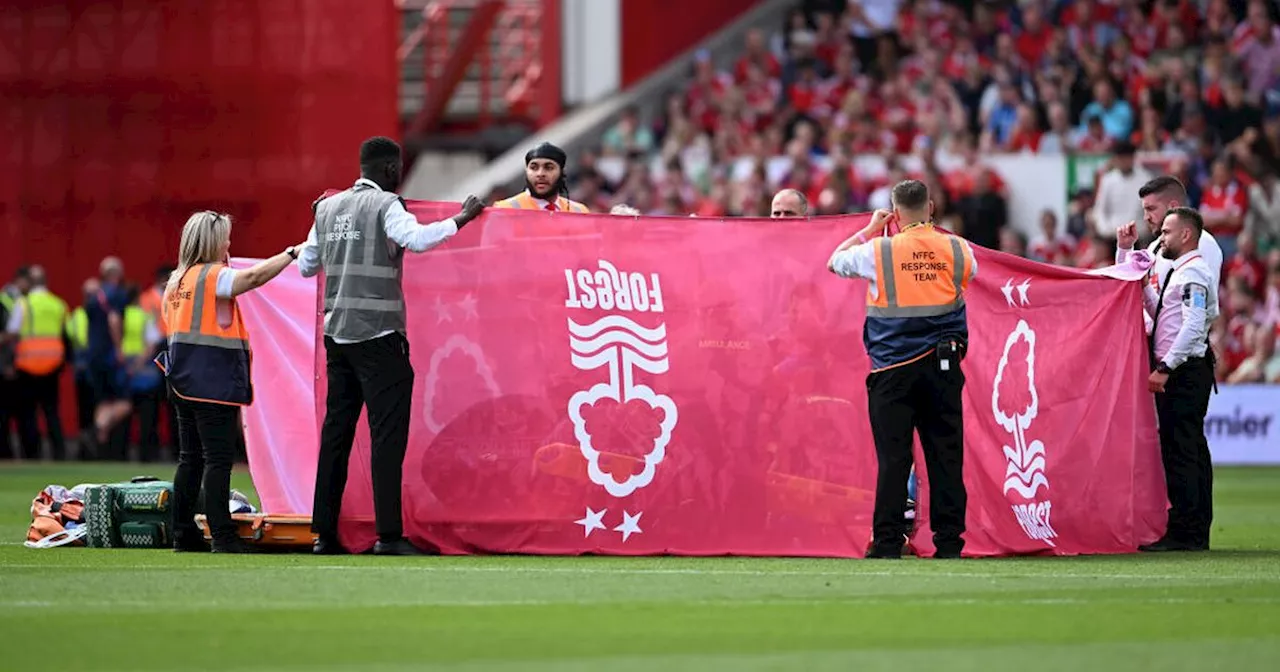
(1185, 451)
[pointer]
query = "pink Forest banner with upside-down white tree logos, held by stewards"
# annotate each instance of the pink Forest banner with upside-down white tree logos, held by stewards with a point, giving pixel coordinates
(620, 386)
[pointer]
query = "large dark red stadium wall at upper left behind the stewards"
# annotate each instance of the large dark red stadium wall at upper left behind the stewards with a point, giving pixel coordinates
(120, 120)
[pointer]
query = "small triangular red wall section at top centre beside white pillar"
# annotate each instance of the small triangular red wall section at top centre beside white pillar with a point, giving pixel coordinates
(657, 31)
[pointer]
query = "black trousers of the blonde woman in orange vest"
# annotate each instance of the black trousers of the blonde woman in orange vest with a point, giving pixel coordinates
(209, 435)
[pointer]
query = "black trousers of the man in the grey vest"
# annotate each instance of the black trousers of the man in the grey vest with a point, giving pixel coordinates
(376, 374)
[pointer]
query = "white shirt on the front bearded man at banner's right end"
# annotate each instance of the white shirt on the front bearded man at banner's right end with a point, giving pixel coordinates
(1191, 299)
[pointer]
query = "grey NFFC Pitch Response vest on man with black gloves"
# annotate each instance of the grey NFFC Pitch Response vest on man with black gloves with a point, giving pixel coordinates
(363, 268)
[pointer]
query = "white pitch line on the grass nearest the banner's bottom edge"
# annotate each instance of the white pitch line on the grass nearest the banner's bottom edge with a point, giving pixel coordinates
(643, 572)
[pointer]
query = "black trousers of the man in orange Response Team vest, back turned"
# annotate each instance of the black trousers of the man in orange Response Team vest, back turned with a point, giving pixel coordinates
(920, 397)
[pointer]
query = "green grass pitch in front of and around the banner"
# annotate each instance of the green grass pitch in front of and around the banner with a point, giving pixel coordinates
(143, 610)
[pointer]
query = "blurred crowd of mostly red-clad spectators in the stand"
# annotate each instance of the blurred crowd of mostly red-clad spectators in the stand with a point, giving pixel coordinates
(848, 99)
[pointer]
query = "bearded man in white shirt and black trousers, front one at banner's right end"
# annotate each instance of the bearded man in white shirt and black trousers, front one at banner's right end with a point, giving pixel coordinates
(1182, 309)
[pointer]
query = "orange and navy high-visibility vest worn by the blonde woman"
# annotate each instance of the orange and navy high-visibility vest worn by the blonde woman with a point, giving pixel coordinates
(205, 362)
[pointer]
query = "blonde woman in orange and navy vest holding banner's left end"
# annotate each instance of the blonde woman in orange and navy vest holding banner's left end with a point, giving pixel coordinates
(208, 371)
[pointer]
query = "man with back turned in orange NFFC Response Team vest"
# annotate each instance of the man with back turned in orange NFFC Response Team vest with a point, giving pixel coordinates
(916, 335)
